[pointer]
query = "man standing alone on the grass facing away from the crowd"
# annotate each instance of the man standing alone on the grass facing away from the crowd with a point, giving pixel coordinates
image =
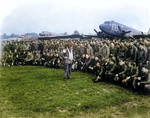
(67, 54)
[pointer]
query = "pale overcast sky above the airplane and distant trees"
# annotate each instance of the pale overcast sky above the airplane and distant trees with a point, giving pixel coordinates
(25, 16)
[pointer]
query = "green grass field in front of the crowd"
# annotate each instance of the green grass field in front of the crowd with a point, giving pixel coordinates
(40, 92)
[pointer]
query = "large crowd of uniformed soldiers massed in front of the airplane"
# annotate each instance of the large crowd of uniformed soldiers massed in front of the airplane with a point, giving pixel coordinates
(119, 61)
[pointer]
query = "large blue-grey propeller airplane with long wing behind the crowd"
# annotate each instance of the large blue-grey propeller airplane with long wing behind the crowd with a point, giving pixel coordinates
(109, 29)
